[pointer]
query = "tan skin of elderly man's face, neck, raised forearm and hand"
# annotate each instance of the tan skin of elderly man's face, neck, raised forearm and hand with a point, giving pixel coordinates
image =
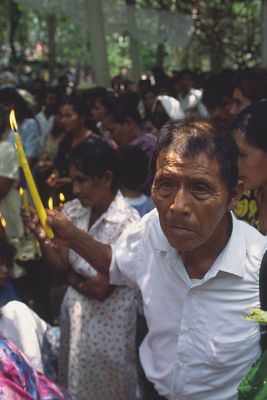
(193, 204)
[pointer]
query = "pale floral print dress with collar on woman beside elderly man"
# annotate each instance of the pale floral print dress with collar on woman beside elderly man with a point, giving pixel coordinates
(98, 351)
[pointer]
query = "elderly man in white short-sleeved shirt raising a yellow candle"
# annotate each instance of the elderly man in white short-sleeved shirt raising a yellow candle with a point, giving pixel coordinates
(197, 266)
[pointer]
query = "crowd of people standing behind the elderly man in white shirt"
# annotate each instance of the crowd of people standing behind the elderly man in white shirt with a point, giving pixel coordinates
(71, 138)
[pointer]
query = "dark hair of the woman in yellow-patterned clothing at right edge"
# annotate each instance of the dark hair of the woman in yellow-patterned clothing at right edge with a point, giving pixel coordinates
(252, 121)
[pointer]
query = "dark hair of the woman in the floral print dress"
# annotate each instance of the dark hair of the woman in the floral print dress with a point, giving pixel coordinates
(94, 156)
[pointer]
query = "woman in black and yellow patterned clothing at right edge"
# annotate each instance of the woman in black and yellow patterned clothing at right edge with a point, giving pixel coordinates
(250, 135)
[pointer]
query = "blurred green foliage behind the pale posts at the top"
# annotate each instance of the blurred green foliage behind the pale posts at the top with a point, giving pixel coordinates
(227, 33)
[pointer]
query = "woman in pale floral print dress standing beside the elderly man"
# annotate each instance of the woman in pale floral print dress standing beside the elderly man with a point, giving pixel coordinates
(97, 356)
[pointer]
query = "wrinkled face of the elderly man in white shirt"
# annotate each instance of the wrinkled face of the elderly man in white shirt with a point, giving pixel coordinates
(191, 198)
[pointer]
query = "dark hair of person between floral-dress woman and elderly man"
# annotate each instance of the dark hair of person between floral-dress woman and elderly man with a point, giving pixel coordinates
(134, 166)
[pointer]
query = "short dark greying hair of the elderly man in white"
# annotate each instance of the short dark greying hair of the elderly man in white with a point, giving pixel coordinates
(193, 136)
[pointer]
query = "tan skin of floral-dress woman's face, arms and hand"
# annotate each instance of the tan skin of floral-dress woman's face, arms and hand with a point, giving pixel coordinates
(92, 192)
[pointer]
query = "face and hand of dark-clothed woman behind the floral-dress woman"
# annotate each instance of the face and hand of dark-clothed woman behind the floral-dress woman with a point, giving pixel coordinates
(73, 123)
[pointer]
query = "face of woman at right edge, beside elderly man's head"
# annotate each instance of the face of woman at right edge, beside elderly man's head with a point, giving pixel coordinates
(252, 163)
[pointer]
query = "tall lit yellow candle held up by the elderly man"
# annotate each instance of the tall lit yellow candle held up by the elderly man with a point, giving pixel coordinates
(29, 178)
